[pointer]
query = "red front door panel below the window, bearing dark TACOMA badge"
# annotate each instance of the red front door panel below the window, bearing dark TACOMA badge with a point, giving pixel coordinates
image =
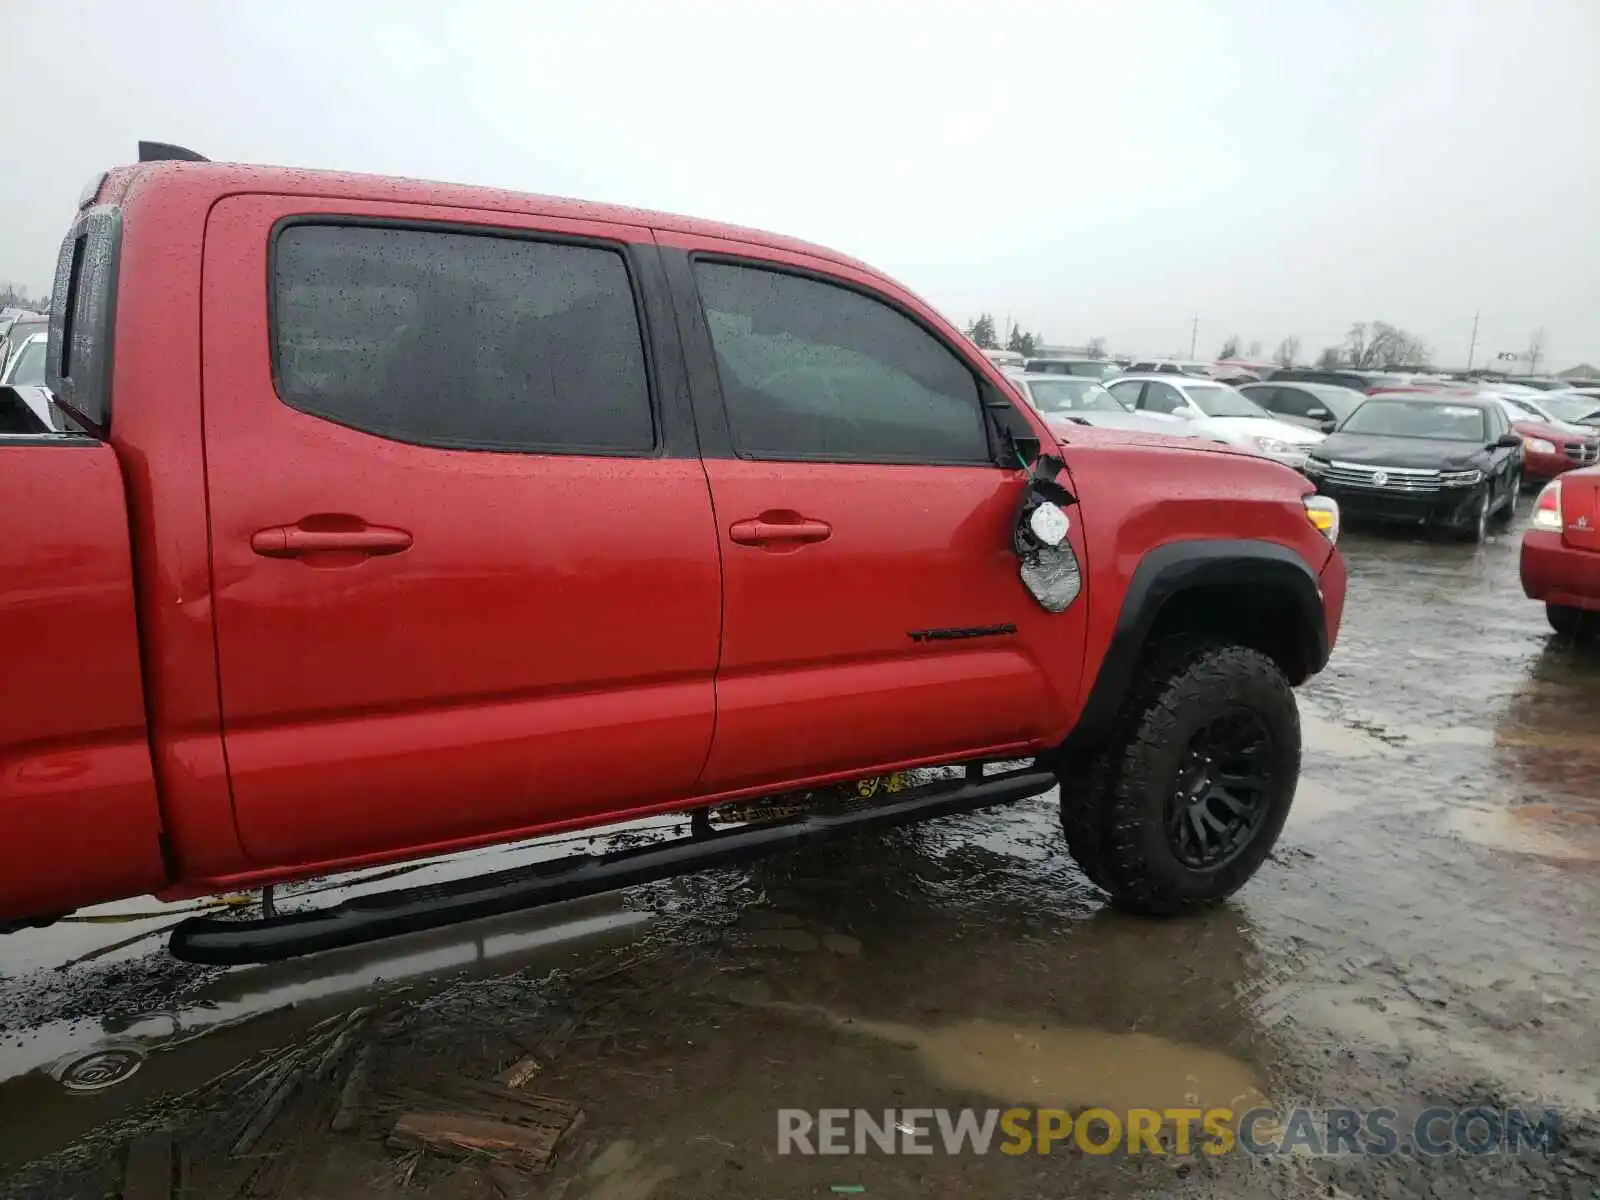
(820, 670)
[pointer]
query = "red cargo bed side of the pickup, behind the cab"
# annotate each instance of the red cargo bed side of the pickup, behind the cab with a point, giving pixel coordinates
(79, 820)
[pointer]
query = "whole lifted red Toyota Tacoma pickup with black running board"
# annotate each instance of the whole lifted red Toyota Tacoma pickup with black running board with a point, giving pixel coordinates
(388, 519)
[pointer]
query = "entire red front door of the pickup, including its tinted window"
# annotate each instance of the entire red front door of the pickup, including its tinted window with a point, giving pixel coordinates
(874, 612)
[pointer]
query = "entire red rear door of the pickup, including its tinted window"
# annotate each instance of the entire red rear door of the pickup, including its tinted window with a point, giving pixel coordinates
(465, 562)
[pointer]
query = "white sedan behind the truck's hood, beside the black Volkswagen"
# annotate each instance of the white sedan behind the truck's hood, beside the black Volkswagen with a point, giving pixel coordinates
(1217, 414)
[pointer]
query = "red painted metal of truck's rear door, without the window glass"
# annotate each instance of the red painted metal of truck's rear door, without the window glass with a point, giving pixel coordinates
(420, 646)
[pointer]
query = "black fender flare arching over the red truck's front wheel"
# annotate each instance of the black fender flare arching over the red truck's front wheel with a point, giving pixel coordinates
(1268, 577)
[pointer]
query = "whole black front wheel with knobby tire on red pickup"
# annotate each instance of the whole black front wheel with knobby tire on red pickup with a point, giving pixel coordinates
(1190, 798)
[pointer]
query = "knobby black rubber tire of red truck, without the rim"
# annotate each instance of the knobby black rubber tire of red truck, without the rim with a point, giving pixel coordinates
(1113, 807)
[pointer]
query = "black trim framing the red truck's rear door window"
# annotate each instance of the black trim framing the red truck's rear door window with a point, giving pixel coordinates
(631, 270)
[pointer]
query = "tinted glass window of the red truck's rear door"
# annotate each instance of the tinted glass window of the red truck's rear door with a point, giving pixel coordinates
(460, 340)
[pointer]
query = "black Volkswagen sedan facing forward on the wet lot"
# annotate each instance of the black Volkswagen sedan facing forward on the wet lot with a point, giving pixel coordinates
(1442, 462)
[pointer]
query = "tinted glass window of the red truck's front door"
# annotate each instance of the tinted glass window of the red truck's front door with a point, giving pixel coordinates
(818, 372)
